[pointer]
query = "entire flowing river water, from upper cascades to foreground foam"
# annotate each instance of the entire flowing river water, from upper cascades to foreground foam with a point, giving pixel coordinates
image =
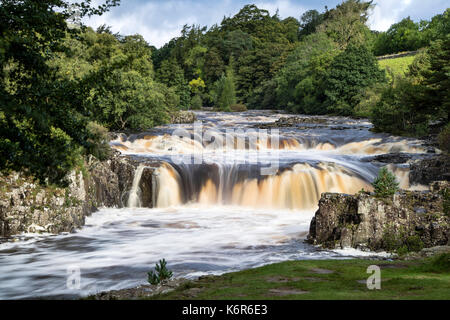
(227, 197)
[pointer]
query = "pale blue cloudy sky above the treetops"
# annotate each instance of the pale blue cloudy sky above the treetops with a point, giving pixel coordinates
(158, 21)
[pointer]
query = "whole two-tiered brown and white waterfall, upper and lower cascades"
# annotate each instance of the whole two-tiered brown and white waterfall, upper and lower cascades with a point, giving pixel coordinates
(311, 163)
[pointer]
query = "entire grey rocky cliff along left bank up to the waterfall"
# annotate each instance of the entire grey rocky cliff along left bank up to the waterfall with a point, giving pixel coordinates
(26, 206)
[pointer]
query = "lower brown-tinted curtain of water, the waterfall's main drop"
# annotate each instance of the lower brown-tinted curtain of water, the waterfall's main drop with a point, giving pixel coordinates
(297, 187)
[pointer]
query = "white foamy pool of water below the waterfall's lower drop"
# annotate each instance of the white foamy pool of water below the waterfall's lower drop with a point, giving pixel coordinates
(118, 246)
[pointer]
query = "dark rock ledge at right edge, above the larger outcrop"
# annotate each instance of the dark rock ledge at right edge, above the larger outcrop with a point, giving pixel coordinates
(432, 169)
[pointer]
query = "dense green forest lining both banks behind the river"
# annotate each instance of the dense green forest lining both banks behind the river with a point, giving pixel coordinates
(64, 85)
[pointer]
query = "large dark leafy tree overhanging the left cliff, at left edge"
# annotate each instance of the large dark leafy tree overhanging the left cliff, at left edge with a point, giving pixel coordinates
(43, 125)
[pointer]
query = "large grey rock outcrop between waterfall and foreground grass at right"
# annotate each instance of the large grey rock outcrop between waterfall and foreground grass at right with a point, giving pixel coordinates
(364, 221)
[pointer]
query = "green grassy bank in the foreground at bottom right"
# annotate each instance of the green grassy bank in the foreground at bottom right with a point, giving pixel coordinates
(423, 279)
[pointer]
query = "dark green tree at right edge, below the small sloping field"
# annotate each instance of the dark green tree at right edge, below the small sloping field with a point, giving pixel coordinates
(409, 103)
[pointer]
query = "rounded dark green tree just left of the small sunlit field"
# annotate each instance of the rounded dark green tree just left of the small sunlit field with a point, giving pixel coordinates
(351, 71)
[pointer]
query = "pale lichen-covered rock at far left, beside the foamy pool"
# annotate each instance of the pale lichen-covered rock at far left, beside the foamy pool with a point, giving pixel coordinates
(28, 207)
